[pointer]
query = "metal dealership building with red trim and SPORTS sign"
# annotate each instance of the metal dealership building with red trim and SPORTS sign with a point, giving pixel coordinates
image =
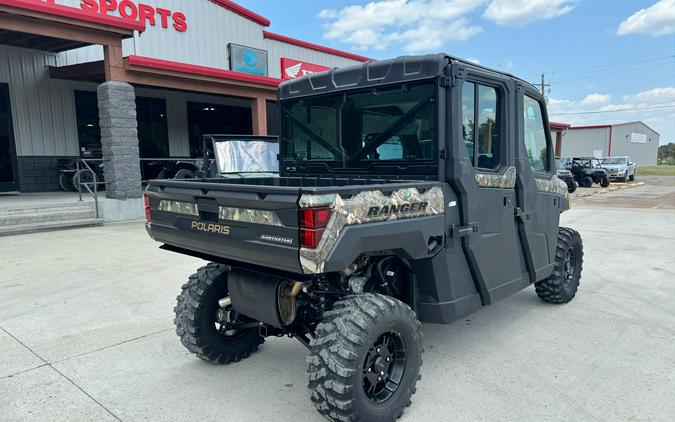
(131, 81)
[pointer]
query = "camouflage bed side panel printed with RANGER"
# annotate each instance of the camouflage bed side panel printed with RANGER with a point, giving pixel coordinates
(360, 209)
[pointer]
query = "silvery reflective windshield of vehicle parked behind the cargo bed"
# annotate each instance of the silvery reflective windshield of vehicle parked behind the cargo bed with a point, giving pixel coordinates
(246, 156)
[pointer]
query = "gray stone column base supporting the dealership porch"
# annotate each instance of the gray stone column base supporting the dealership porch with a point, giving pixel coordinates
(119, 139)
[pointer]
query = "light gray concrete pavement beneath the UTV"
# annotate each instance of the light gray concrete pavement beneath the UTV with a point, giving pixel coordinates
(86, 334)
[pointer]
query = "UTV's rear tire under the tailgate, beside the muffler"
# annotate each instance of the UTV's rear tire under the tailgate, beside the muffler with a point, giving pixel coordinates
(196, 317)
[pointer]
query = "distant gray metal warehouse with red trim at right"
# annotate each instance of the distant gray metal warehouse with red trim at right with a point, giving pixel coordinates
(634, 139)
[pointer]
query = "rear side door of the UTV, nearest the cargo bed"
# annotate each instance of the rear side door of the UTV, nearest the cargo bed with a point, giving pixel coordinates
(486, 183)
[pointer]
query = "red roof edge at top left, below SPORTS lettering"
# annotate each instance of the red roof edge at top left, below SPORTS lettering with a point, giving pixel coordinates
(74, 13)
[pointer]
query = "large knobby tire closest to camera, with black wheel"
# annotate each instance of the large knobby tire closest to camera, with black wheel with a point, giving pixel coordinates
(365, 359)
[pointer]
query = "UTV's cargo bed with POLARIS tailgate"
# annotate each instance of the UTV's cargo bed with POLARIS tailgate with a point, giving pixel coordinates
(252, 221)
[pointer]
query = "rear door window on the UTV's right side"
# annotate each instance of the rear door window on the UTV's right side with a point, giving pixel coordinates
(480, 125)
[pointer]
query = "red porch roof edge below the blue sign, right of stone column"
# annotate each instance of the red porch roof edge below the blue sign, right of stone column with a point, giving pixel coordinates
(202, 70)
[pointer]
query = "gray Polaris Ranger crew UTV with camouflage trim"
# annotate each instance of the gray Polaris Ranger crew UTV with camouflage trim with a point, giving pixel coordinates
(414, 189)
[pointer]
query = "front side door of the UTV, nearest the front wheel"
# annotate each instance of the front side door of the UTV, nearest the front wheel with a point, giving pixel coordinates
(538, 205)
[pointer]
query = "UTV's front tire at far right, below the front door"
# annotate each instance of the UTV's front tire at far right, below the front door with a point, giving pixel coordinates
(562, 285)
